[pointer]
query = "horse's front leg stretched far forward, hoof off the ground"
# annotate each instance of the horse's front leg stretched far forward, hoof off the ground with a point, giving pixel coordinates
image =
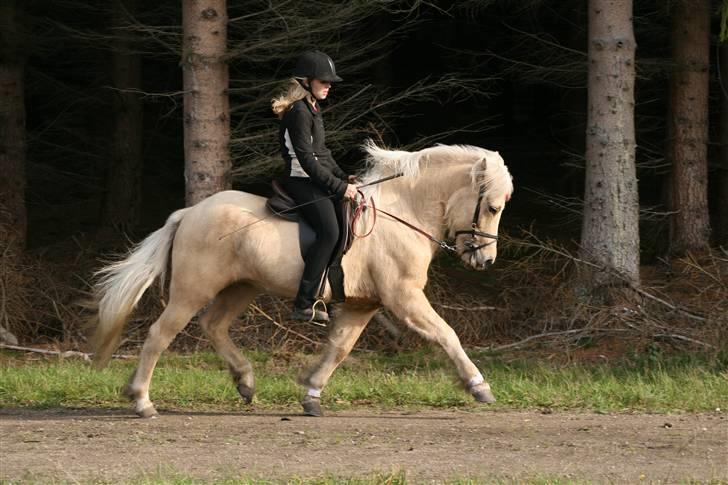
(413, 308)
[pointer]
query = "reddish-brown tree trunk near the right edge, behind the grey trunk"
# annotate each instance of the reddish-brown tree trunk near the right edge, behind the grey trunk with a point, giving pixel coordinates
(687, 125)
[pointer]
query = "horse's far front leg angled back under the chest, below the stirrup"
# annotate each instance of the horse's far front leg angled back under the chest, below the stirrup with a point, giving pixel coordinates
(345, 331)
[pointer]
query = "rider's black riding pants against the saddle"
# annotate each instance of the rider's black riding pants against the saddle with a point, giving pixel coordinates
(320, 212)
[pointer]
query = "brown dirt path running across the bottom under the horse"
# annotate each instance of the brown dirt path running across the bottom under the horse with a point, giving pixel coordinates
(428, 445)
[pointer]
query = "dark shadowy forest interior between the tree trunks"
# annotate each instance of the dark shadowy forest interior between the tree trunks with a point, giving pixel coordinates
(505, 75)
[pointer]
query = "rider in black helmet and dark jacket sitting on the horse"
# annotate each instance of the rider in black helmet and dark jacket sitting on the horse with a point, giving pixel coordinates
(312, 176)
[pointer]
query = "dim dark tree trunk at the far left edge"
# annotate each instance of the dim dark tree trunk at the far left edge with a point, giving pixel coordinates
(13, 218)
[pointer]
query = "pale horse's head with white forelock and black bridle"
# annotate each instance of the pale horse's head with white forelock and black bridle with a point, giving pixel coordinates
(474, 211)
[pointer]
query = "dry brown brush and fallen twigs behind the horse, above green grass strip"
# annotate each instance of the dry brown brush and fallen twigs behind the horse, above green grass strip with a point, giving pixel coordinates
(525, 301)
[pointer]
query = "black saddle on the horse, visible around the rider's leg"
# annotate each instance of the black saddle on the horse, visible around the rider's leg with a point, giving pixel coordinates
(282, 205)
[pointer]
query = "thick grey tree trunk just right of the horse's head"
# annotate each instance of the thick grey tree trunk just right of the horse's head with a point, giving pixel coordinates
(610, 235)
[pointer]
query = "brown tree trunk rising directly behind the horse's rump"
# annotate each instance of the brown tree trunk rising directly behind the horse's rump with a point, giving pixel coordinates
(206, 106)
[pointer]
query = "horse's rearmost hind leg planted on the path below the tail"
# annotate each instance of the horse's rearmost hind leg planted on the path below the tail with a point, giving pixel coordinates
(179, 311)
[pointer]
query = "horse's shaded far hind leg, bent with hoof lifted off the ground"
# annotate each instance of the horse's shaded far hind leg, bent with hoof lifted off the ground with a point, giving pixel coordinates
(228, 304)
